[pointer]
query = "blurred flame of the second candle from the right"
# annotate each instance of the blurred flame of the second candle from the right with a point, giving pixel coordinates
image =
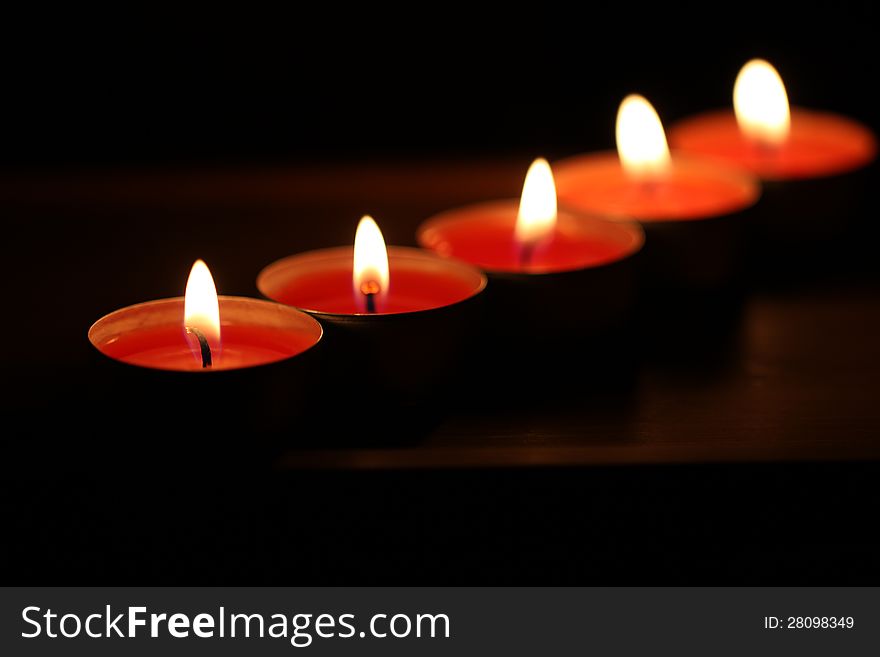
(641, 142)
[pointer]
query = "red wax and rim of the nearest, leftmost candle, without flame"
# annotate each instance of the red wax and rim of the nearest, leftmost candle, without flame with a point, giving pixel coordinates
(253, 332)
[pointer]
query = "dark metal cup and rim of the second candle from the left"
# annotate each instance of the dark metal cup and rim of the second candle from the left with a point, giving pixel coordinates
(376, 364)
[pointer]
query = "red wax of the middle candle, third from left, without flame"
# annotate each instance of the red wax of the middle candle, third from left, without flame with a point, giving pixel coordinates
(484, 234)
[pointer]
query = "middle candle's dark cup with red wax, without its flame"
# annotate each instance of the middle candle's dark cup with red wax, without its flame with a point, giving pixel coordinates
(575, 291)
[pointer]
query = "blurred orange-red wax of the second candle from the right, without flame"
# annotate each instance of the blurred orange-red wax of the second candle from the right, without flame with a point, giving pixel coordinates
(692, 189)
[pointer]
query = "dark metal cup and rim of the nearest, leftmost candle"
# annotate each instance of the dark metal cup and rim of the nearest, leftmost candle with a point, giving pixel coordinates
(223, 417)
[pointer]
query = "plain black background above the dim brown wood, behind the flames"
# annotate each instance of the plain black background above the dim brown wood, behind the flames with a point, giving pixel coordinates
(373, 81)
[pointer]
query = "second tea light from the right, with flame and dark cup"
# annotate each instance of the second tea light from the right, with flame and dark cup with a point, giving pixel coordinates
(691, 208)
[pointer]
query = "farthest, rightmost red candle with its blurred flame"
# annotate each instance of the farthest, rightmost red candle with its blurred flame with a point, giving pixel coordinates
(761, 134)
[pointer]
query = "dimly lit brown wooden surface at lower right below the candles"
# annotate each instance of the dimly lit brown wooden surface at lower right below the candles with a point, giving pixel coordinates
(799, 380)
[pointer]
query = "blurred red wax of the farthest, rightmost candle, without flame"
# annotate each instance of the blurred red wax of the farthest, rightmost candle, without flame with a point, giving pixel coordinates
(819, 144)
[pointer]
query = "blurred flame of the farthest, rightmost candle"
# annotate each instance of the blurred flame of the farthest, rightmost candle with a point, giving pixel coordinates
(761, 104)
